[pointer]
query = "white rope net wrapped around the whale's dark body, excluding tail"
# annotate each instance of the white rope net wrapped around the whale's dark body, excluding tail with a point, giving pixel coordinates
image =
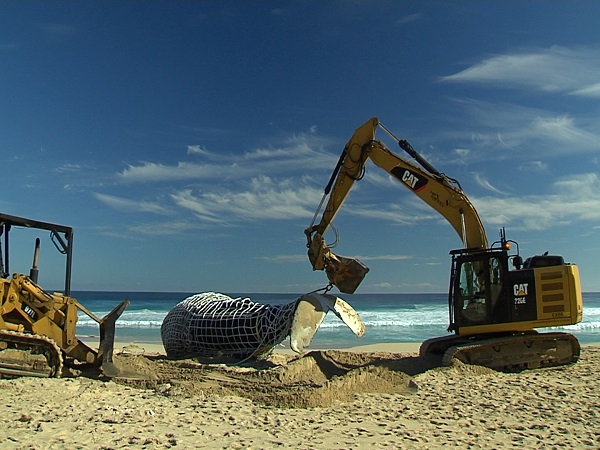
(215, 325)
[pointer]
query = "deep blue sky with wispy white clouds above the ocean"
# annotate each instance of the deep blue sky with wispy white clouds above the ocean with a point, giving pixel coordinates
(189, 142)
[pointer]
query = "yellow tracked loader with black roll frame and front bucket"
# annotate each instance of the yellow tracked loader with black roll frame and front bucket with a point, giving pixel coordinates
(37, 328)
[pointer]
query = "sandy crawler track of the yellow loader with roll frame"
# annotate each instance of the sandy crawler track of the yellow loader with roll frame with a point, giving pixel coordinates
(32, 355)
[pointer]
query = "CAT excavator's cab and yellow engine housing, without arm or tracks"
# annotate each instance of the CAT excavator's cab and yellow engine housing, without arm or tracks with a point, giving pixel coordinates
(487, 296)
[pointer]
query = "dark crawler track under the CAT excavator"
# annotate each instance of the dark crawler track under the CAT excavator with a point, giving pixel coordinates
(507, 353)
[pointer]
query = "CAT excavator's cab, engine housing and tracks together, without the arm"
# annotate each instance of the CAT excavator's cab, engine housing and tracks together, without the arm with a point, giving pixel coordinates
(495, 310)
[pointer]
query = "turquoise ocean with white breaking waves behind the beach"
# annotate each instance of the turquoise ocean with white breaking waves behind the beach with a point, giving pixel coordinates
(388, 318)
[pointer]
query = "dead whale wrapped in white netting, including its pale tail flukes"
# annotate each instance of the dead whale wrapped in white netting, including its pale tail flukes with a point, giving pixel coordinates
(213, 325)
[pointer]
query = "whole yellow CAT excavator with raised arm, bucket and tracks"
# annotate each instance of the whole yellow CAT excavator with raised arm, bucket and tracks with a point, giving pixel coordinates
(493, 309)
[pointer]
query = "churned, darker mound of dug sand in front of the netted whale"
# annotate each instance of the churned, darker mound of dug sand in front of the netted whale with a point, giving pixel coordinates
(316, 379)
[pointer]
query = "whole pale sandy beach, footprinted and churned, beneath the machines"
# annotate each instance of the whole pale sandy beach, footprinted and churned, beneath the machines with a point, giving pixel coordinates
(370, 397)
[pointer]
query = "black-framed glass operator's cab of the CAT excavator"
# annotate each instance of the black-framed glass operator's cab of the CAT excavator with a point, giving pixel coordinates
(478, 288)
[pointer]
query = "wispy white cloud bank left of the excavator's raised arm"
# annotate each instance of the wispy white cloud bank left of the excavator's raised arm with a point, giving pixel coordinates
(265, 183)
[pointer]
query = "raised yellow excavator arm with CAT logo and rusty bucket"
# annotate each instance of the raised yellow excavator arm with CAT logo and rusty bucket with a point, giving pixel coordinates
(439, 191)
